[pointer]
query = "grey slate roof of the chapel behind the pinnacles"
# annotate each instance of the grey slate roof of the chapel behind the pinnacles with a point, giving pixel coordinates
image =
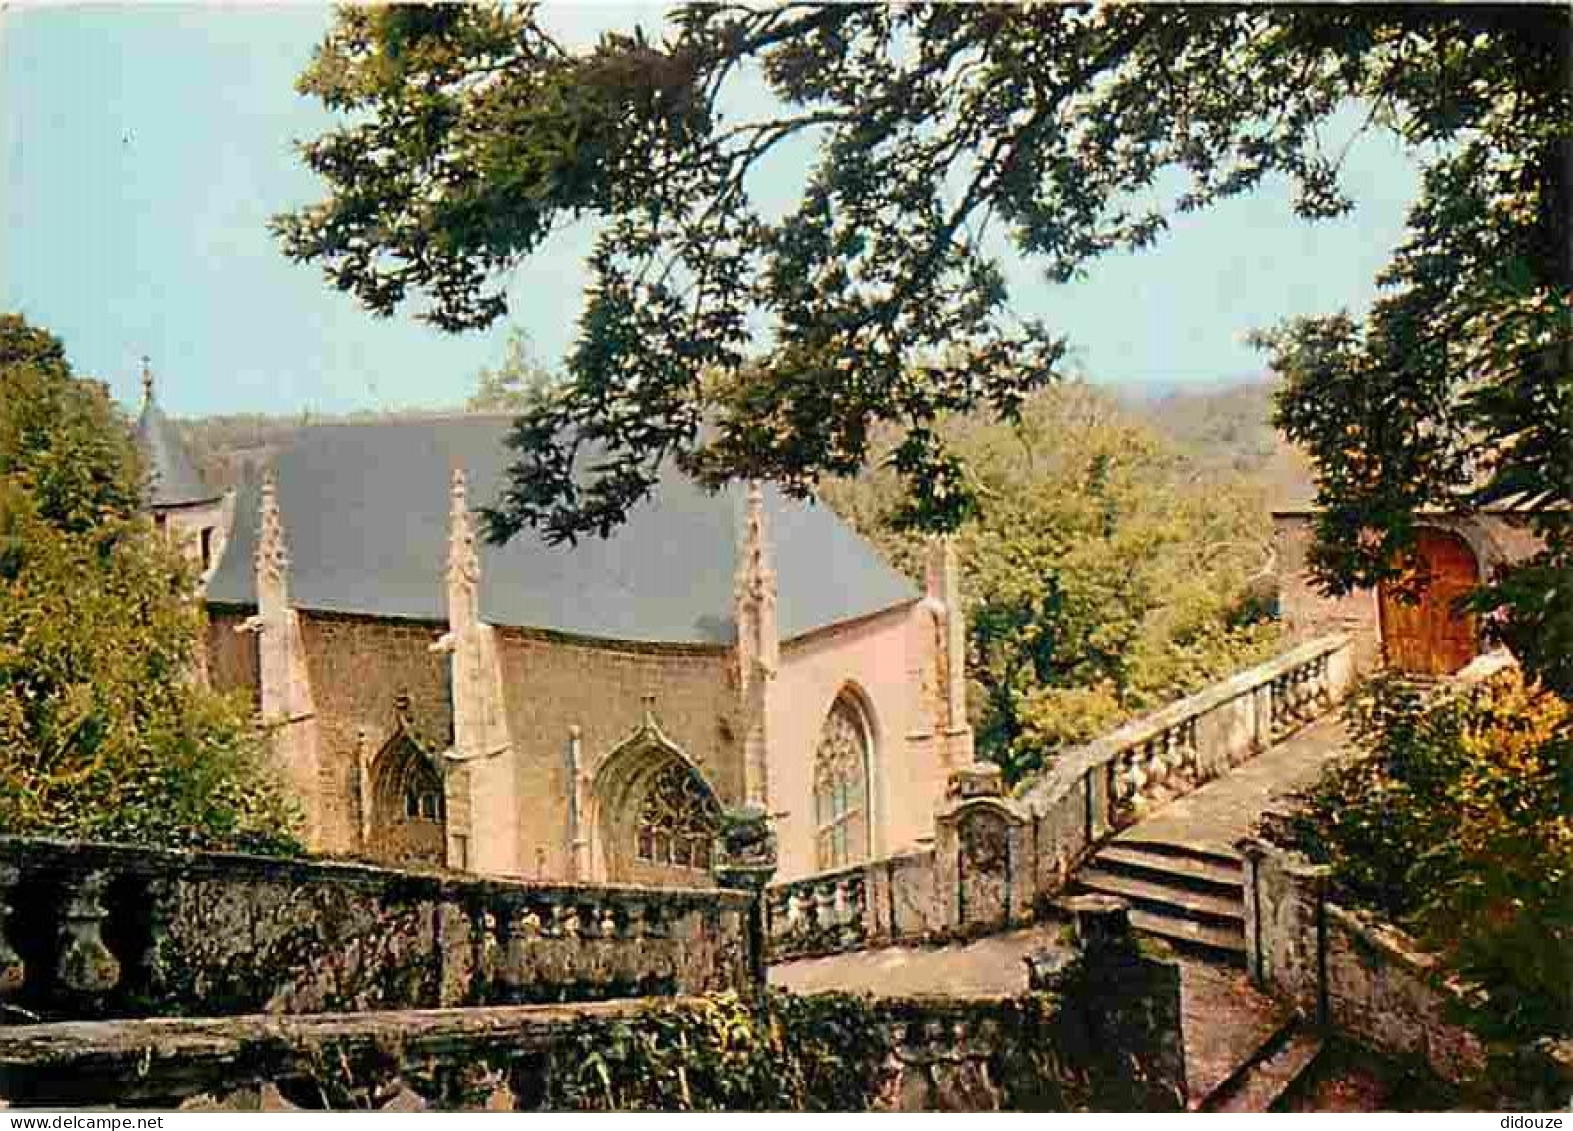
(366, 512)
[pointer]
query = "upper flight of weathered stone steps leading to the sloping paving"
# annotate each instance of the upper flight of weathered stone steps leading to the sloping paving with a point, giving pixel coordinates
(1185, 896)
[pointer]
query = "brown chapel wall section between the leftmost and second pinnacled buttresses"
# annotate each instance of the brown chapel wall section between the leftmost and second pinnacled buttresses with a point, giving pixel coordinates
(358, 668)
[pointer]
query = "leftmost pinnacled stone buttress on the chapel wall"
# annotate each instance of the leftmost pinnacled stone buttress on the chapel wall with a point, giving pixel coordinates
(289, 710)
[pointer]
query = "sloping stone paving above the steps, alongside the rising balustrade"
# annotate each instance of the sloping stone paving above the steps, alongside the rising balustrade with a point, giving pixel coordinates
(1223, 811)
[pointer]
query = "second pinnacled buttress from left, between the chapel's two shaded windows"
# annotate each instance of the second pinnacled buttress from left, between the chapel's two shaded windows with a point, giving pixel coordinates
(485, 838)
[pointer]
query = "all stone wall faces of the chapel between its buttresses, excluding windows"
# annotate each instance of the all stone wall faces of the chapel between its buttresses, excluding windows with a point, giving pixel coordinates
(358, 666)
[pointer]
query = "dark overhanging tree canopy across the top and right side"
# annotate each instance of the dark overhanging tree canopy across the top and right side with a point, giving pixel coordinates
(743, 342)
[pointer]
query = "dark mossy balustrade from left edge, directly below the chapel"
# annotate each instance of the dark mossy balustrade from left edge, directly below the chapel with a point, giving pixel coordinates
(103, 930)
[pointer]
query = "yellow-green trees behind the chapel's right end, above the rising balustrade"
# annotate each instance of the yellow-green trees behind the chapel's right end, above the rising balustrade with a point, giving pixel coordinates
(1105, 578)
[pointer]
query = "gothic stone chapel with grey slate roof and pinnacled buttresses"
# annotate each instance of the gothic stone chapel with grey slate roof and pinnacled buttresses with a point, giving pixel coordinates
(567, 713)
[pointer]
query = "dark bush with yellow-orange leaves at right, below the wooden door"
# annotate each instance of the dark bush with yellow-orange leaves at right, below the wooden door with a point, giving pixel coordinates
(1459, 825)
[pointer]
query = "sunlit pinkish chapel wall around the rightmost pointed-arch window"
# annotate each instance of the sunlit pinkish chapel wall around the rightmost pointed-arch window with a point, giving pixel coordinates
(891, 663)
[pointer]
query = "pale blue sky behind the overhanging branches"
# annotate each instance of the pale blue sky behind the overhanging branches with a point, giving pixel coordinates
(142, 152)
